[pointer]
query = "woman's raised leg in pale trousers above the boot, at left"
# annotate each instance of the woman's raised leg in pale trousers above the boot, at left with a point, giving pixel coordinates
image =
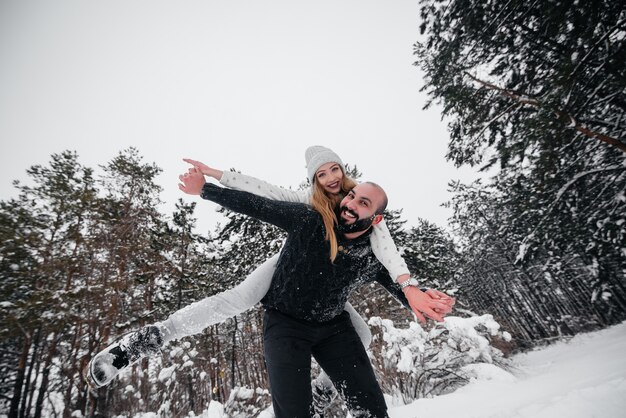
(194, 318)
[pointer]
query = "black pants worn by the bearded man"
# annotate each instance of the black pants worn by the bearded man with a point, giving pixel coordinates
(289, 344)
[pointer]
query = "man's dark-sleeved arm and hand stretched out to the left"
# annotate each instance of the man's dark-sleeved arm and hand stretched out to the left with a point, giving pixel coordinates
(282, 214)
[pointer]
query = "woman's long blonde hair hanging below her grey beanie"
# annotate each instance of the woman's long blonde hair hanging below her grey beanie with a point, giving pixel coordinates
(325, 205)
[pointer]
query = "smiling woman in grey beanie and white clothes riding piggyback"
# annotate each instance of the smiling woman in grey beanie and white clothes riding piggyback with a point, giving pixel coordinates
(329, 185)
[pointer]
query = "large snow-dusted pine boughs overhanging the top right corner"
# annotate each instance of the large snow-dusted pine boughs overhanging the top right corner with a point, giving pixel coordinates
(512, 75)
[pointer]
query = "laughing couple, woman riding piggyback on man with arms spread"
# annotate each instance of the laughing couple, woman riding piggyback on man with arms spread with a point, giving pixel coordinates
(333, 246)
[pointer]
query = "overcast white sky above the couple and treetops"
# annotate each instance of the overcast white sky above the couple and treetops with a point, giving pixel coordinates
(244, 84)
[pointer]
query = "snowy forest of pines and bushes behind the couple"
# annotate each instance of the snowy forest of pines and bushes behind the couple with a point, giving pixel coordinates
(533, 92)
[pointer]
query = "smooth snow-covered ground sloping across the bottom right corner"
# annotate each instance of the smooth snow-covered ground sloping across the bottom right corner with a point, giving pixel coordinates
(582, 378)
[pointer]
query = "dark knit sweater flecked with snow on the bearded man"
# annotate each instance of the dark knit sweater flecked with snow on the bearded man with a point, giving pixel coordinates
(306, 285)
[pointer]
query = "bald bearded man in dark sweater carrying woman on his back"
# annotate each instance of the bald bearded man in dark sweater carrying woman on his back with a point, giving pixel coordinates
(305, 303)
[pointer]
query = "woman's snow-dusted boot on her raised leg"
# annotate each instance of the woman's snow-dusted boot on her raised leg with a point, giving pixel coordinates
(122, 353)
